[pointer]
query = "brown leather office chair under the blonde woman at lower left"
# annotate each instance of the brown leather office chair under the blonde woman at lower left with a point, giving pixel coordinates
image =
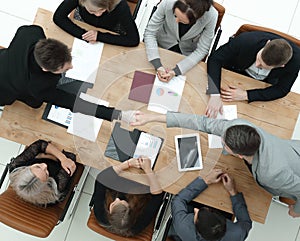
(31, 219)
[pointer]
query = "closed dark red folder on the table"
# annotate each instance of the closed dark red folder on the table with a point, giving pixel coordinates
(141, 87)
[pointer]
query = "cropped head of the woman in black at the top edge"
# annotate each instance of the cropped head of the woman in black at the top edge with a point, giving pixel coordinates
(98, 7)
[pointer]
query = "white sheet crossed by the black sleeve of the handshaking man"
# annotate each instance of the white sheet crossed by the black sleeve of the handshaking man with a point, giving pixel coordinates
(86, 126)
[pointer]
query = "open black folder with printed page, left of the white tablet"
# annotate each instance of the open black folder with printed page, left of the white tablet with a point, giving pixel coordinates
(124, 144)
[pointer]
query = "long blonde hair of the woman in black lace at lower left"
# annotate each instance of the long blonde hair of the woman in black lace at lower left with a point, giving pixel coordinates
(32, 189)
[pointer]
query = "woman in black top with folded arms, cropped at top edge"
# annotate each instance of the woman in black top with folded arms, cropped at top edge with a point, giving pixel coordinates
(112, 15)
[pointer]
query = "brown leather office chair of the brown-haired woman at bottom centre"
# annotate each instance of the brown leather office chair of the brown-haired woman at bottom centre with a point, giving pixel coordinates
(151, 232)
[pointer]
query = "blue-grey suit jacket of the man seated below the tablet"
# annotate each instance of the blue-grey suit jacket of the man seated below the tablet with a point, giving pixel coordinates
(183, 221)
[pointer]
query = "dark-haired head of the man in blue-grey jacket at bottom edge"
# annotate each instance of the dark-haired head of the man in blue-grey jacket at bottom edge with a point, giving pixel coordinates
(210, 224)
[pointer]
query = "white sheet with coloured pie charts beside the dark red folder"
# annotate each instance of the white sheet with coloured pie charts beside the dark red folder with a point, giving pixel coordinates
(166, 96)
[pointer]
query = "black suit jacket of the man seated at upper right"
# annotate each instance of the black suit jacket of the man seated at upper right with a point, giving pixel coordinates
(240, 53)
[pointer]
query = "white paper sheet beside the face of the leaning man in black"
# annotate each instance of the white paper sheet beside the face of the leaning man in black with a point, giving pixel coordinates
(85, 60)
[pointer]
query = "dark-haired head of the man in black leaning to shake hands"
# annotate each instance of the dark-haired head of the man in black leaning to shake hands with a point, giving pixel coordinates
(53, 56)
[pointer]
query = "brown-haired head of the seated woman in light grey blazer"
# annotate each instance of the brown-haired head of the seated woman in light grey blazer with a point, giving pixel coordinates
(188, 11)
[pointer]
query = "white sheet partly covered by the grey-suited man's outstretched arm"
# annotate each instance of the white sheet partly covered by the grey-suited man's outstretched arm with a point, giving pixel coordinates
(229, 113)
